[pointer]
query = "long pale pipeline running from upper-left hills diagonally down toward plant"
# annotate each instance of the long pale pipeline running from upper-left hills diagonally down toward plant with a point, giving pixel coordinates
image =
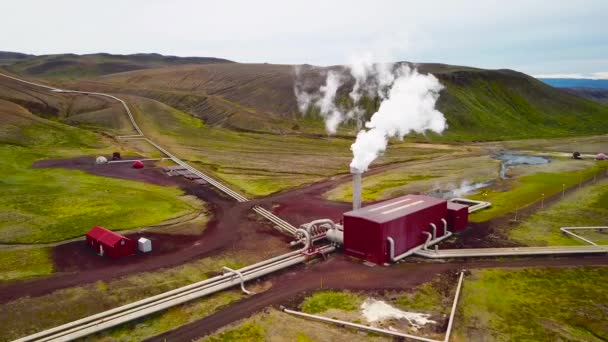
(282, 225)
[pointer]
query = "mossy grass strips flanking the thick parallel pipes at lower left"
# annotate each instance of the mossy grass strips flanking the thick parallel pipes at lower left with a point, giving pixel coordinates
(27, 315)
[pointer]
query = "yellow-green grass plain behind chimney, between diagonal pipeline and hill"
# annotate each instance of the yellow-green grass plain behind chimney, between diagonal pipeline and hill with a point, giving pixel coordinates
(257, 164)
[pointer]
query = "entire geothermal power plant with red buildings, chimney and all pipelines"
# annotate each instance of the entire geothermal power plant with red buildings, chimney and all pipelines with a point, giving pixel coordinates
(382, 234)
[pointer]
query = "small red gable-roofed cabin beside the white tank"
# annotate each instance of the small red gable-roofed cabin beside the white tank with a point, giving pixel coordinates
(109, 243)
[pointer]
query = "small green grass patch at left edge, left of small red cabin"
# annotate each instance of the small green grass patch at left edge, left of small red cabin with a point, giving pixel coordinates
(24, 263)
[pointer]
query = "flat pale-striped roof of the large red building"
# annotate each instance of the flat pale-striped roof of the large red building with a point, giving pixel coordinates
(397, 207)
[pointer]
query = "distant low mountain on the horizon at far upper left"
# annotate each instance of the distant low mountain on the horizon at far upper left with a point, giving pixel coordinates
(71, 66)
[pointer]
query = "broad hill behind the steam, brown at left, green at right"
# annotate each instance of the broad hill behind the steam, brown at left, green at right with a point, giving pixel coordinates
(479, 104)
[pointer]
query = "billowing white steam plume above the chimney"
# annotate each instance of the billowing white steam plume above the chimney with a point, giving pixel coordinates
(408, 104)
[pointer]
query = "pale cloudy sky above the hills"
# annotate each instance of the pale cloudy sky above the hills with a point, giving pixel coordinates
(538, 37)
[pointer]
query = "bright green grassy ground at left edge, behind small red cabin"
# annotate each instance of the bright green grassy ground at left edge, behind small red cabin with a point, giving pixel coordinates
(45, 205)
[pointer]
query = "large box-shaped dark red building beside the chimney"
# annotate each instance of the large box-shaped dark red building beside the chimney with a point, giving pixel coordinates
(403, 219)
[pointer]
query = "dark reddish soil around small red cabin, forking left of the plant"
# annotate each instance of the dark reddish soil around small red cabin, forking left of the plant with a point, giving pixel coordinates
(233, 226)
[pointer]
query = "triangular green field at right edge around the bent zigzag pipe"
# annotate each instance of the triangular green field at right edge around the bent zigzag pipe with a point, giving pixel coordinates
(586, 207)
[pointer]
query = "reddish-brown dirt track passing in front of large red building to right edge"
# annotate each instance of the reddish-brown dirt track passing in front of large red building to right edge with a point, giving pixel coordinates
(339, 272)
